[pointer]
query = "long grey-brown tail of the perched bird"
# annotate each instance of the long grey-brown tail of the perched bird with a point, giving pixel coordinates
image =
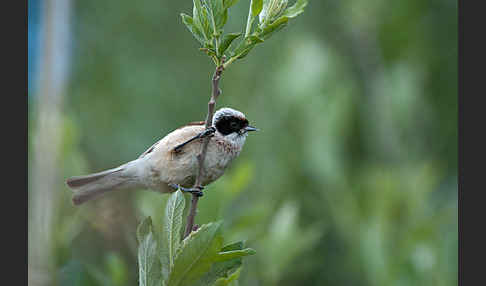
(90, 186)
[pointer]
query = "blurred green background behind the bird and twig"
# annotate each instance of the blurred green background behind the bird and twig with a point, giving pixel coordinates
(351, 181)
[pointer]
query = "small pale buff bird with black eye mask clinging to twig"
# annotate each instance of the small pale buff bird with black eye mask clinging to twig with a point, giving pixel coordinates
(172, 162)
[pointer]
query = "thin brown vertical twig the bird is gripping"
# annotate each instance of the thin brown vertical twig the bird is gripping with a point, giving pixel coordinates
(202, 156)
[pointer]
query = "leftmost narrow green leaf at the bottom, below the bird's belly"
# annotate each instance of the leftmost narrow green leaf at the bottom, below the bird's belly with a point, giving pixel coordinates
(148, 261)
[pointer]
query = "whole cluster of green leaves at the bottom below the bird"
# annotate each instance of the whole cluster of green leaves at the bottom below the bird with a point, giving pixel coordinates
(199, 259)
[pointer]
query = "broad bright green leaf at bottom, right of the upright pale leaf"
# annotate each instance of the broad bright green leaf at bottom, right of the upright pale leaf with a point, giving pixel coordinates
(196, 255)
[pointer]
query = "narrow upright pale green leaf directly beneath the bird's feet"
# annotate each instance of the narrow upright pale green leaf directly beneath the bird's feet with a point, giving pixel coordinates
(174, 210)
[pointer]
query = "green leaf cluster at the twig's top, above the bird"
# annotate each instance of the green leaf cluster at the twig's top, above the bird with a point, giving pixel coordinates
(210, 16)
